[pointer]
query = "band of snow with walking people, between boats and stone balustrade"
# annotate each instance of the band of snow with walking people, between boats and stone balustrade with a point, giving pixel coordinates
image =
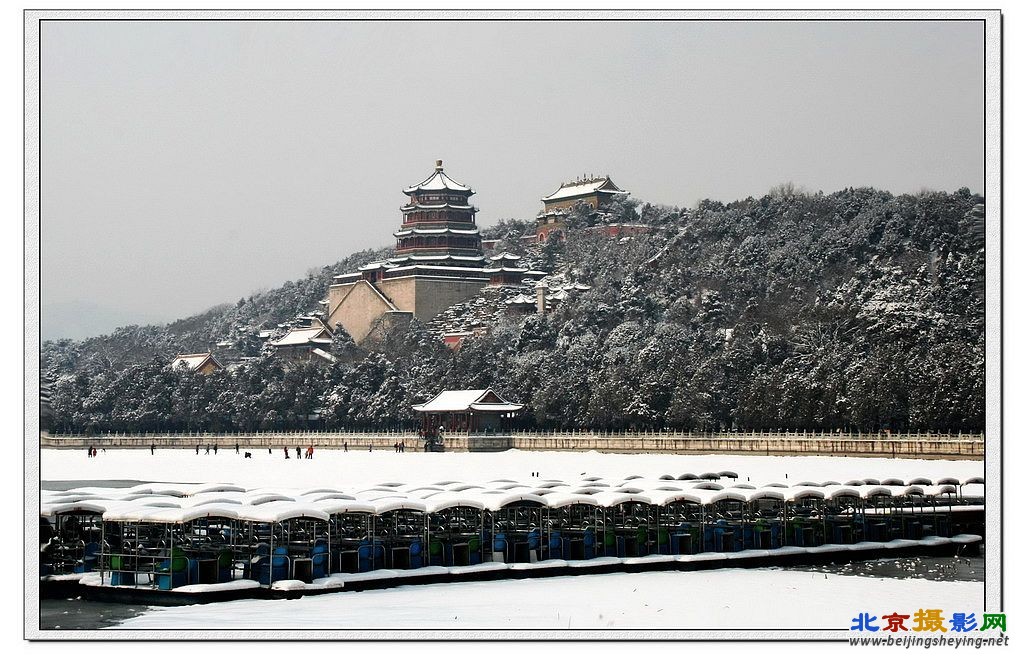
(334, 468)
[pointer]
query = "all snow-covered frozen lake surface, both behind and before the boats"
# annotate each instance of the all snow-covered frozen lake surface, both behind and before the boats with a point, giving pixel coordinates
(733, 599)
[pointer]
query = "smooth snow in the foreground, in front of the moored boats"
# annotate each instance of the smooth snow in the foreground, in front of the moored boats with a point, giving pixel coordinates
(730, 599)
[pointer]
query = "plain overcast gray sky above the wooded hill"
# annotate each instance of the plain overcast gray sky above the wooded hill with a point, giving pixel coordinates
(189, 164)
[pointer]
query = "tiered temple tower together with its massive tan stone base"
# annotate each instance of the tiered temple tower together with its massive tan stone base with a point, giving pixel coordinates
(439, 262)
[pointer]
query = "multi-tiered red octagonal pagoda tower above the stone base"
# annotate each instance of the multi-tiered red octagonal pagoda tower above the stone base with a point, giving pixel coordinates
(439, 226)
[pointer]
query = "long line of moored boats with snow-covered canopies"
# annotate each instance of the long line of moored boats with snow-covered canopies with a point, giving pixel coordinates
(189, 539)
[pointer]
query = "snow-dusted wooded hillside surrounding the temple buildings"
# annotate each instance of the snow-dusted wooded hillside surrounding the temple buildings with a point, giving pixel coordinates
(857, 310)
